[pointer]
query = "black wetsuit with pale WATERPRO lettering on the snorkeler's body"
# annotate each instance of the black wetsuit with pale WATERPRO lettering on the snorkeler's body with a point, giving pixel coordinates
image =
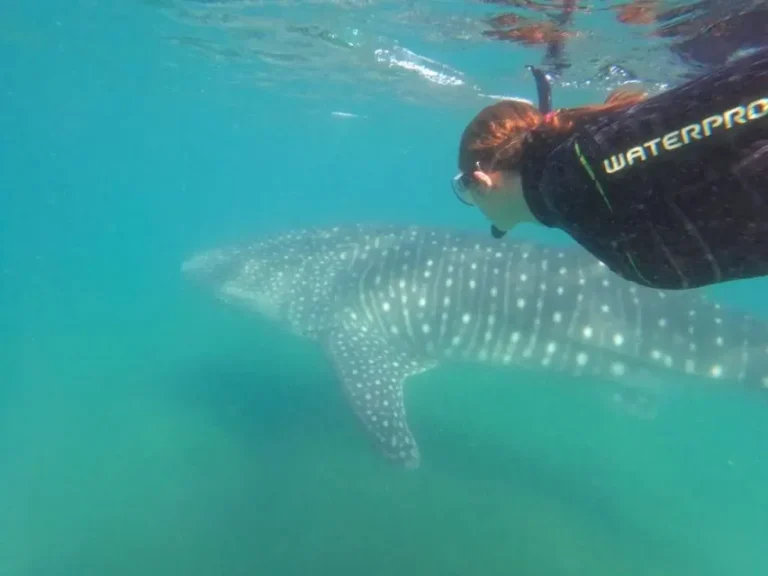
(671, 192)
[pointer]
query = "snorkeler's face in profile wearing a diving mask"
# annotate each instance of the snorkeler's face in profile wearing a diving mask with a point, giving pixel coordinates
(498, 194)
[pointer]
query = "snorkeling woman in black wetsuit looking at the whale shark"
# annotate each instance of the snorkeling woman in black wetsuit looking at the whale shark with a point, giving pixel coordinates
(669, 191)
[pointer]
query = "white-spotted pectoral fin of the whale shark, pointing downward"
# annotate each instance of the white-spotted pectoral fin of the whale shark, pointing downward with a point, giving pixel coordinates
(372, 373)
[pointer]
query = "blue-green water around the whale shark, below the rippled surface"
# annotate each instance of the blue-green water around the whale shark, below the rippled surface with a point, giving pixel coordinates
(146, 430)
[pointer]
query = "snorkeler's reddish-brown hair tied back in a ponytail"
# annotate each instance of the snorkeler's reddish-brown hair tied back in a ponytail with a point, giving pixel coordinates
(494, 138)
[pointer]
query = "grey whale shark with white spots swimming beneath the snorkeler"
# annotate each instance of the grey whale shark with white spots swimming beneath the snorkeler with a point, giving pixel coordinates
(388, 302)
